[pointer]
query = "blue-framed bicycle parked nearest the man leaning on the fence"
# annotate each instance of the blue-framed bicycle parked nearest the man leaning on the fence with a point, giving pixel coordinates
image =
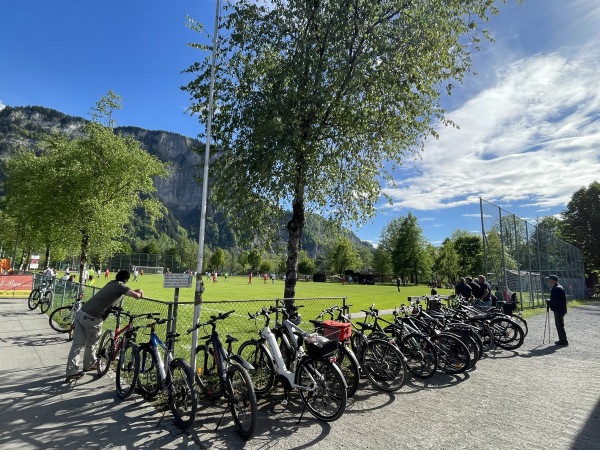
(171, 375)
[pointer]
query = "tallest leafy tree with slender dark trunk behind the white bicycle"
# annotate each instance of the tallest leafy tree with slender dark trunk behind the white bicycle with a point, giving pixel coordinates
(314, 97)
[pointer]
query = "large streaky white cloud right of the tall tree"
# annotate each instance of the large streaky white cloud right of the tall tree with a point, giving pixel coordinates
(533, 136)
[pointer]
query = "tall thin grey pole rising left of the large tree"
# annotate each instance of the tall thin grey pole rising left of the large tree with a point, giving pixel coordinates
(199, 283)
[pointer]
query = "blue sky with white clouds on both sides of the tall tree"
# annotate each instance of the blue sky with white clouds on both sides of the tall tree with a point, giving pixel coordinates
(529, 121)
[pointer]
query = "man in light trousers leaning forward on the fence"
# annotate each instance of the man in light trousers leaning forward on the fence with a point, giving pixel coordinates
(88, 323)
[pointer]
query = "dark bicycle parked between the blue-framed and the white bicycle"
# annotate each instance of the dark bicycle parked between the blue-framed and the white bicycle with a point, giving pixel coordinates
(221, 373)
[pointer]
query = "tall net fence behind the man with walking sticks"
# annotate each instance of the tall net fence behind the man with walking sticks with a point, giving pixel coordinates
(519, 256)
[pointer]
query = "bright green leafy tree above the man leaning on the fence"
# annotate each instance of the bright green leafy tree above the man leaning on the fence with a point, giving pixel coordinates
(102, 177)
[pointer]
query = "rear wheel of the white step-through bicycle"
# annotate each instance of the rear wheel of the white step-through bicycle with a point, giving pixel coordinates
(323, 388)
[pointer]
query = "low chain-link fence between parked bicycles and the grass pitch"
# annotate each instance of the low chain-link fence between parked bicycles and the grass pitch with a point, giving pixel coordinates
(181, 314)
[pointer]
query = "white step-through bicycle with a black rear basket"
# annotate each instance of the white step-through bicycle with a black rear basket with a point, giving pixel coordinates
(322, 387)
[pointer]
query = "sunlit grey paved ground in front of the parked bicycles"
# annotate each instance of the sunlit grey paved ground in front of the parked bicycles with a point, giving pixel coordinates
(537, 397)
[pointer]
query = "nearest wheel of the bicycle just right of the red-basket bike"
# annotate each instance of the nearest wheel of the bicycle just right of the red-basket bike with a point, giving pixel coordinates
(384, 365)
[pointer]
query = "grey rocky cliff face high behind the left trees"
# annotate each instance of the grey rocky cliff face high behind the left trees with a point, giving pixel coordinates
(180, 192)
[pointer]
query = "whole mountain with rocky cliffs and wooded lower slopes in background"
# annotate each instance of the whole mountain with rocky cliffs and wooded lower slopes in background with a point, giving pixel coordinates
(179, 192)
